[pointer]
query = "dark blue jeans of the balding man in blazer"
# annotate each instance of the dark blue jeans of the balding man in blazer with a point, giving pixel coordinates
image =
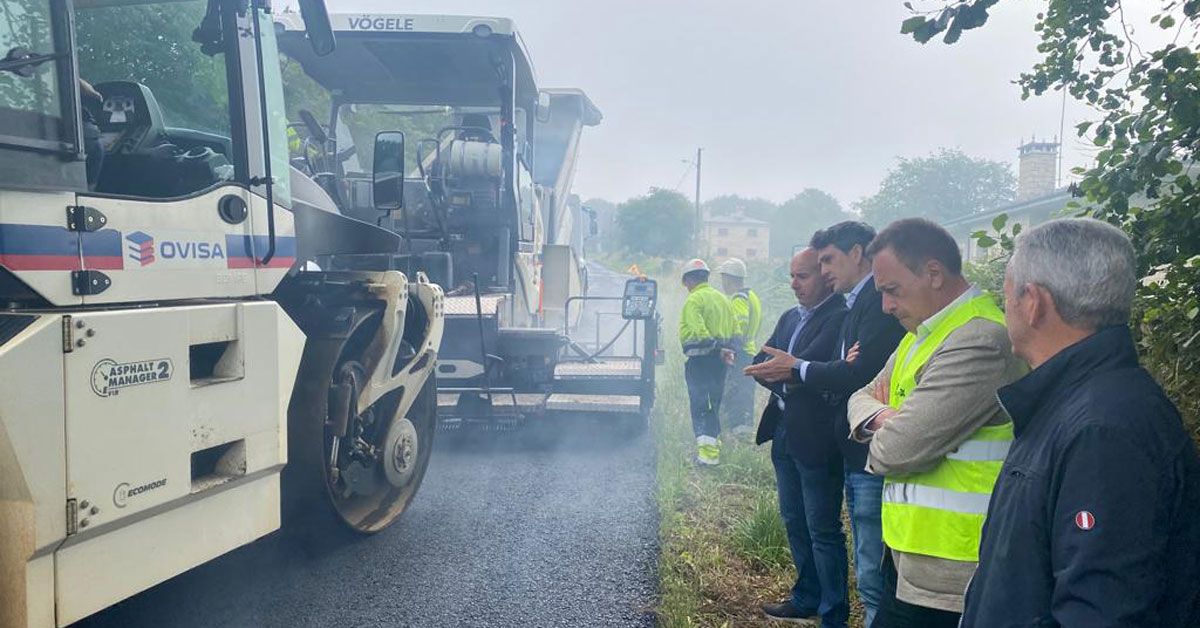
(811, 504)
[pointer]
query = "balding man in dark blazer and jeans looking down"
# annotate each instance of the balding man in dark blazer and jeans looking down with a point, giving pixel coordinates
(808, 466)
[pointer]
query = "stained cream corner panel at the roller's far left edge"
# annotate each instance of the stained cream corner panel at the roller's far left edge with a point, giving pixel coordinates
(33, 471)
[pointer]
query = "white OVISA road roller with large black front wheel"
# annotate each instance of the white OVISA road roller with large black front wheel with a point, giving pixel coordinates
(175, 366)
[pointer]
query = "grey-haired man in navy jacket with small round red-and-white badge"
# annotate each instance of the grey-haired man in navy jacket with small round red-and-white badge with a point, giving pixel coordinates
(1096, 518)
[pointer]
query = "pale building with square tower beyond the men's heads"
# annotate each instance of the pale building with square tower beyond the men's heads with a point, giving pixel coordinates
(1039, 199)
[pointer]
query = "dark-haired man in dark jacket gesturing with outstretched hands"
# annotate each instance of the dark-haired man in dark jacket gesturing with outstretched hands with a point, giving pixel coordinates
(873, 336)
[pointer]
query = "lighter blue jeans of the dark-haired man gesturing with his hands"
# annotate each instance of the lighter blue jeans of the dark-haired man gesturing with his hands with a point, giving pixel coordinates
(865, 500)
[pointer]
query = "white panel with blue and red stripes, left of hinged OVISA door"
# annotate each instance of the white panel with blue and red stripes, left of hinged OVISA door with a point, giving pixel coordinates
(37, 246)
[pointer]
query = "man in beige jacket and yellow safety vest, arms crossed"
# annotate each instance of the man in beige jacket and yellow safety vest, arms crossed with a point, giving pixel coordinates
(937, 432)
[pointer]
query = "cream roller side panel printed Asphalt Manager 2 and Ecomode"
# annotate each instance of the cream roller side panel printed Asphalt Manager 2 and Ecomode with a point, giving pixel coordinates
(153, 387)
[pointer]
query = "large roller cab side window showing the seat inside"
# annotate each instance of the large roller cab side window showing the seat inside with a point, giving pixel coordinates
(161, 104)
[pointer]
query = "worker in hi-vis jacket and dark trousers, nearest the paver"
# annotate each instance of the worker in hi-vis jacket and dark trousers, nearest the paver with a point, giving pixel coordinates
(706, 332)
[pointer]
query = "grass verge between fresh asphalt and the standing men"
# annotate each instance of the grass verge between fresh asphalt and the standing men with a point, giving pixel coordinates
(724, 549)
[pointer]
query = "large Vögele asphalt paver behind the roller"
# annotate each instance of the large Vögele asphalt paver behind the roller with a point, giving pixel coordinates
(487, 211)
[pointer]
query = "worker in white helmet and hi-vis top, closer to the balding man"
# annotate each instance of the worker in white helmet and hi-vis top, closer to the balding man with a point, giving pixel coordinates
(747, 320)
